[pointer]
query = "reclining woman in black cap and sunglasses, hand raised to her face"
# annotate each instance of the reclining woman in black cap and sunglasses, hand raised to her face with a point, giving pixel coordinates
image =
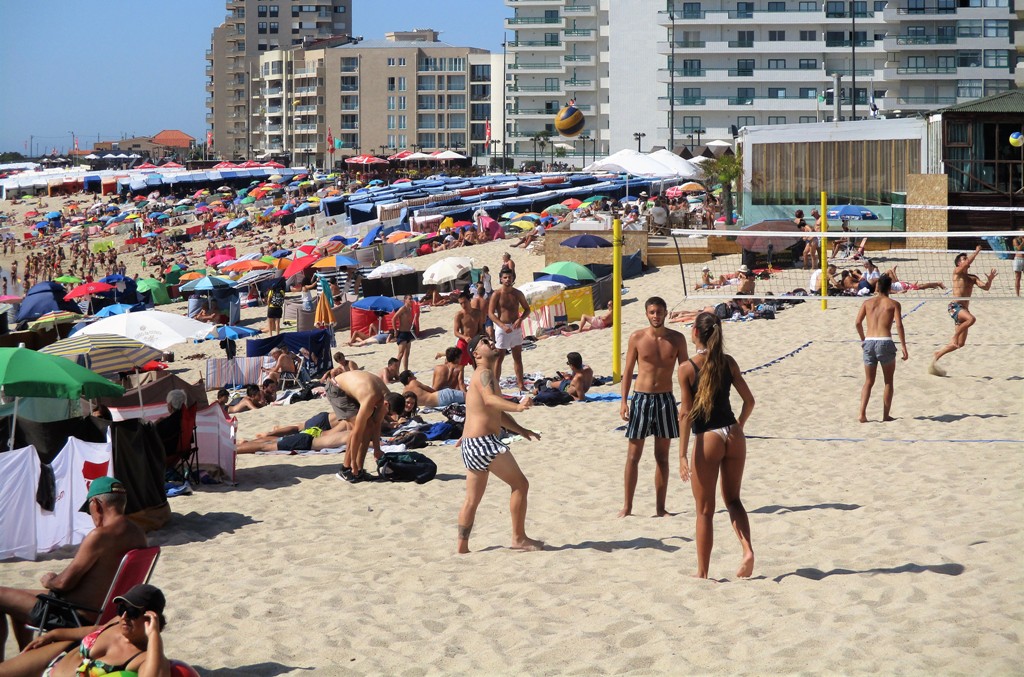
(132, 642)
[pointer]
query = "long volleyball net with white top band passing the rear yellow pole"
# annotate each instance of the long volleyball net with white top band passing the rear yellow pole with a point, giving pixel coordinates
(716, 266)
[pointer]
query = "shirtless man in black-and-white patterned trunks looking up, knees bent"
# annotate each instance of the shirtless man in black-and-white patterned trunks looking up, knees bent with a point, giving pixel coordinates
(483, 452)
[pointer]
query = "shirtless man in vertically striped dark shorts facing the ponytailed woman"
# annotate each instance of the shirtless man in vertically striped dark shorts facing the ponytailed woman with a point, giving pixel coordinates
(658, 351)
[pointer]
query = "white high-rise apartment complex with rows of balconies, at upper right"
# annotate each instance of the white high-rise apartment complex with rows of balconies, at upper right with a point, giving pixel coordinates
(675, 73)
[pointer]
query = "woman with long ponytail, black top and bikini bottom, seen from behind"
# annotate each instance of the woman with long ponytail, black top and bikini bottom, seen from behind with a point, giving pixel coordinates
(719, 444)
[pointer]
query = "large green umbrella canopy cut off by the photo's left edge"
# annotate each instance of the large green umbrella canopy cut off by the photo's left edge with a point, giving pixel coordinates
(26, 373)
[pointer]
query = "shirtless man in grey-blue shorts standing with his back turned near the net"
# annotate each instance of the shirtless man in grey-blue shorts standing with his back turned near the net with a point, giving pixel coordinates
(880, 312)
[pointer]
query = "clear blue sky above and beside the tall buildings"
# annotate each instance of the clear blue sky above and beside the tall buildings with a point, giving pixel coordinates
(118, 68)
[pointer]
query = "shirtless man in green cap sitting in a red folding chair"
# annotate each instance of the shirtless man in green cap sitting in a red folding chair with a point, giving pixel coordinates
(89, 577)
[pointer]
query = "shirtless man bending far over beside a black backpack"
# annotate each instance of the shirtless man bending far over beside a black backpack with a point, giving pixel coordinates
(359, 397)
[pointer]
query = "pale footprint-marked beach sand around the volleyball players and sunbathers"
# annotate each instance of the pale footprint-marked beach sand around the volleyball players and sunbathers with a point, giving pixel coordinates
(881, 548)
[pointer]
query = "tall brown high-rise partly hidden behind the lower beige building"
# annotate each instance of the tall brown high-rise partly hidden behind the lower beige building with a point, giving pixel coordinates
(254, 27)
